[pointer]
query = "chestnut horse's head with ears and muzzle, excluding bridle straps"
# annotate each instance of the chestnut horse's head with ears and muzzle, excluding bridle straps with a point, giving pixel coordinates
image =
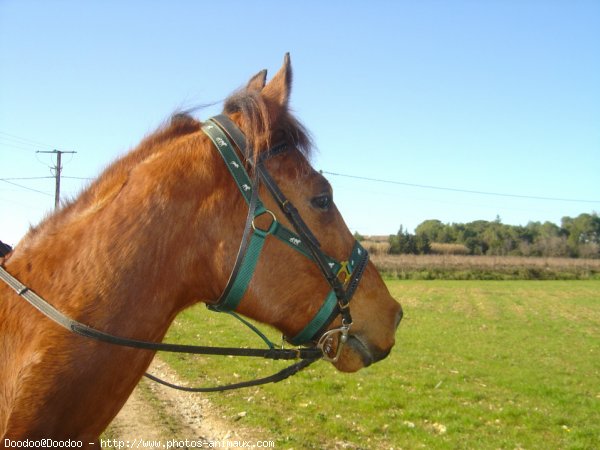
(287, 289)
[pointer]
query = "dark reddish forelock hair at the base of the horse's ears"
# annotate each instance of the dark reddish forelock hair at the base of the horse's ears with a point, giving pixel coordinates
(259, 130)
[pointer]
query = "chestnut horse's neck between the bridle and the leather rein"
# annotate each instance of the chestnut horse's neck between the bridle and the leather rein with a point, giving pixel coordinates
(136, 254)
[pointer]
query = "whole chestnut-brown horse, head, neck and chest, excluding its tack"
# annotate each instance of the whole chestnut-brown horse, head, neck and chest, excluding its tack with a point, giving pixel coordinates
(157, 232)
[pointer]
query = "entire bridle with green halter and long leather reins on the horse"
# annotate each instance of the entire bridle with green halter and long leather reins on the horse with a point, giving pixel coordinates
(219, 129)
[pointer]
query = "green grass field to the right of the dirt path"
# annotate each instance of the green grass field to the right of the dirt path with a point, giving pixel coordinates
(477, 365)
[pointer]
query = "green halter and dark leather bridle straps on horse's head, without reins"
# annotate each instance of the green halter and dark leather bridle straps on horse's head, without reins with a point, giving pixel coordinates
(222, 131)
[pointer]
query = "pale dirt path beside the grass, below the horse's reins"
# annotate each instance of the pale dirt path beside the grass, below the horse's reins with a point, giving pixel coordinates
(158, 413)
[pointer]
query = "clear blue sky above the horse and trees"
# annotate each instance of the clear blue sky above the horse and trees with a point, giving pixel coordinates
(491, 96)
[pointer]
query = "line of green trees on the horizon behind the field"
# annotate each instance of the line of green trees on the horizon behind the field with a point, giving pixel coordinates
(576, 237)
